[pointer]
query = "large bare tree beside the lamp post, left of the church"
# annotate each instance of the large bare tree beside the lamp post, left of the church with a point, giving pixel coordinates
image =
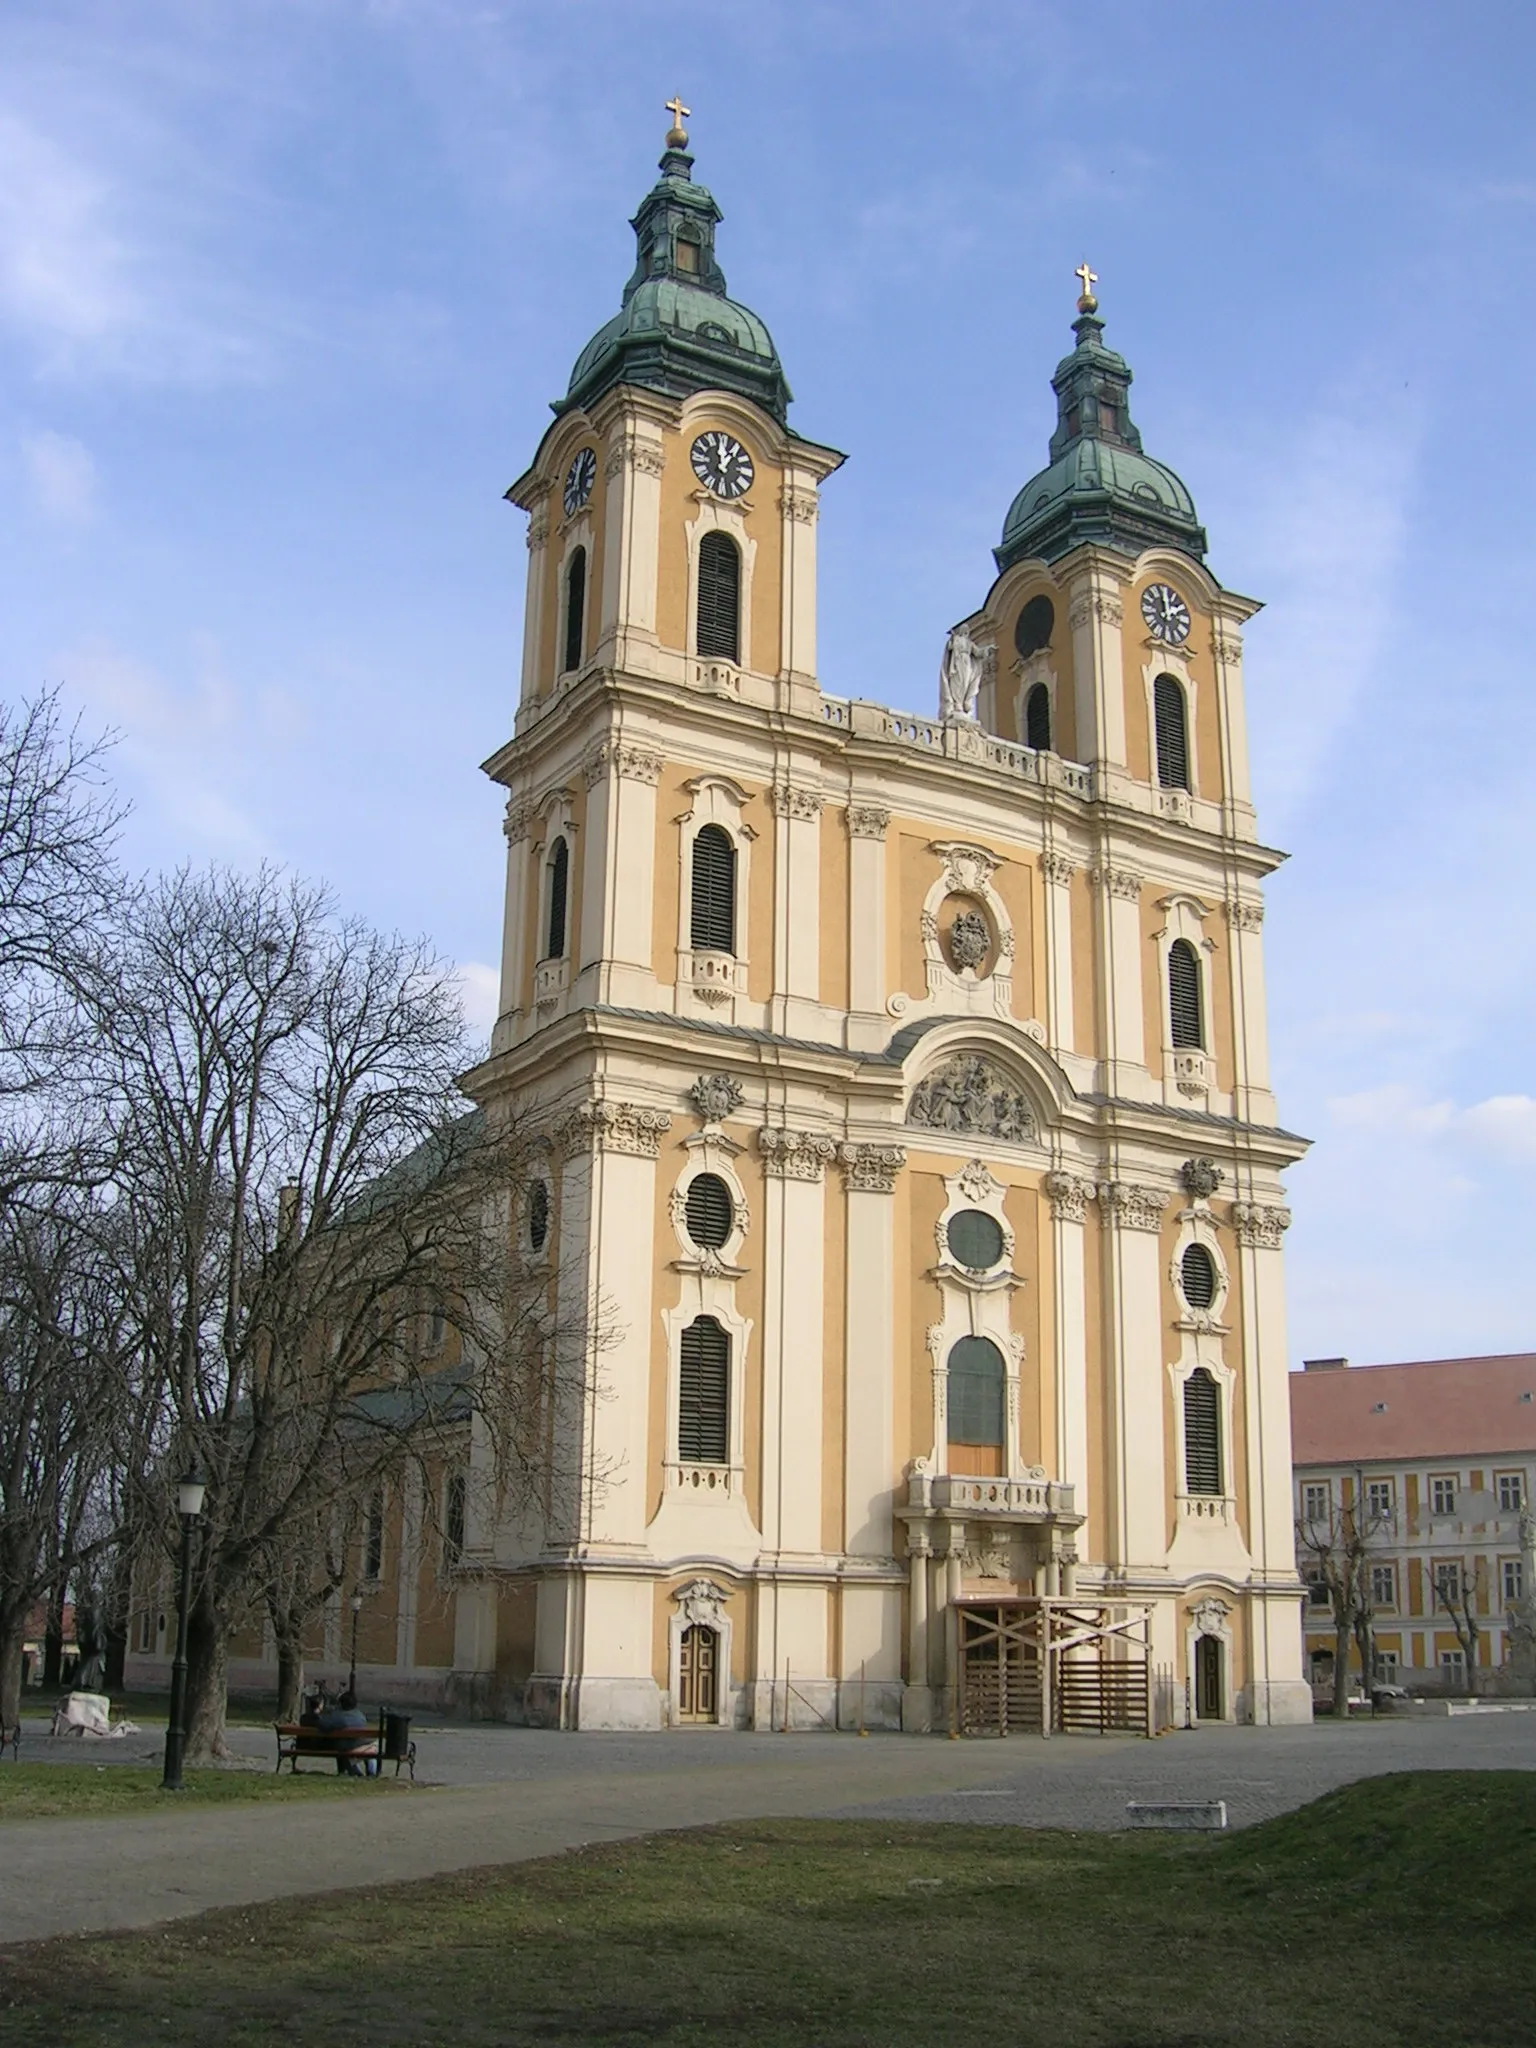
(300, 1177)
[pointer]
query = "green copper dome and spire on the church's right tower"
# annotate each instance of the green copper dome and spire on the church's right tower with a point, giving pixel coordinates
(1099, 486)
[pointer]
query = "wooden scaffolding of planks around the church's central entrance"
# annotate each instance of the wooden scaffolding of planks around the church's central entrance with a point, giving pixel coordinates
(1035, 1666)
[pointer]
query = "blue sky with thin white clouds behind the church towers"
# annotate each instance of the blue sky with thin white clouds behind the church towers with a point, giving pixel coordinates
(286, 292)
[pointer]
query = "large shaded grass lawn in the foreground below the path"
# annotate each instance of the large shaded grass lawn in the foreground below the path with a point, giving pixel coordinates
(1396, 1910)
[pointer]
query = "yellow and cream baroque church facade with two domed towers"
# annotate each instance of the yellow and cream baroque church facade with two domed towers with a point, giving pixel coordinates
(904, 1086)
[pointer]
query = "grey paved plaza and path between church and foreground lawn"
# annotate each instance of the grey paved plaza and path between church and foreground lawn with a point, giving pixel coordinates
(499, 1795)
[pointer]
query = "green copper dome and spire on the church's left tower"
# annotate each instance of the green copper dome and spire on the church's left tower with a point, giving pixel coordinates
(677, 331)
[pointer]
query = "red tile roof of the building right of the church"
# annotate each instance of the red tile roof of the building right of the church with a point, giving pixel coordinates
(1439, 1408)
